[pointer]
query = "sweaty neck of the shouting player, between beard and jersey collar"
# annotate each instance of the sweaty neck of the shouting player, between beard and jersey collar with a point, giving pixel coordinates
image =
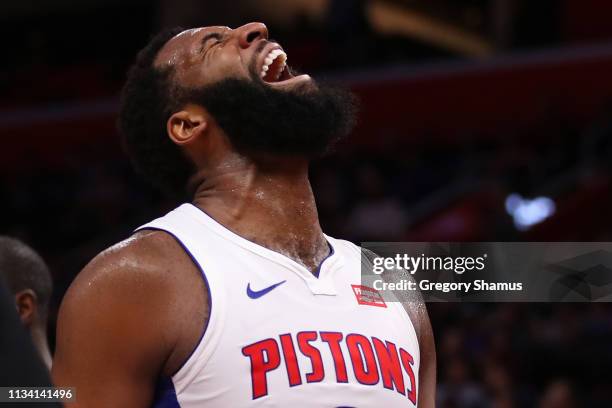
(269, 203)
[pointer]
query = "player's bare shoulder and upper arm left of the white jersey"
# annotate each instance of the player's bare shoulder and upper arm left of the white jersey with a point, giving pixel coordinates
(128, 317)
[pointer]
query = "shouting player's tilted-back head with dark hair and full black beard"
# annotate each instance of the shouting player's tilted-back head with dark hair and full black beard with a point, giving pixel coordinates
(187, 87)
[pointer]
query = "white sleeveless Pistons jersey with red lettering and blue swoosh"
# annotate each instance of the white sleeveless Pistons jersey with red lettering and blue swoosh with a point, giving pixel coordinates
(280, 336)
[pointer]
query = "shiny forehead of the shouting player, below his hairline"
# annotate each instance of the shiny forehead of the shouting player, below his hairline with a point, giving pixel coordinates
(185, 42)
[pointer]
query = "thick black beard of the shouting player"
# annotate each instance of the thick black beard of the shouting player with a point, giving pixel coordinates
(306, 121)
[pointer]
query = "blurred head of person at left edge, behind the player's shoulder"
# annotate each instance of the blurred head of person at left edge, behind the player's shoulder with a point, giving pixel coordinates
(28, 278)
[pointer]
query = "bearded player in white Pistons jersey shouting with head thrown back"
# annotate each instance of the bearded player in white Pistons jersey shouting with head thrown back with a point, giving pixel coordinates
(236, 298)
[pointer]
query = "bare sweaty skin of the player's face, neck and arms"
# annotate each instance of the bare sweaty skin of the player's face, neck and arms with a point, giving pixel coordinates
(117, 328)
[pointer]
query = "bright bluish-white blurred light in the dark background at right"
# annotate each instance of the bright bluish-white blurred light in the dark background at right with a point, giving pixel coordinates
(527, 212)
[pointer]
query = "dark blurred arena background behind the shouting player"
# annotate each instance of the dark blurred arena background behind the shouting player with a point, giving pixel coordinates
(465, 103)
